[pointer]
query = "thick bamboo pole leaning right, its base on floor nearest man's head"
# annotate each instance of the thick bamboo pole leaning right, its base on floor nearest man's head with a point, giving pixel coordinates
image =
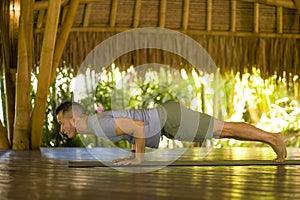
(44, 75)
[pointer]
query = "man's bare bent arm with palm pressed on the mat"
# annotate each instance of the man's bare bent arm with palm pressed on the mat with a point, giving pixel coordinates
(136, 128)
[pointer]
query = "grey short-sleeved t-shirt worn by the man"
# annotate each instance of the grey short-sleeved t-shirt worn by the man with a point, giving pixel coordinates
(102, 125)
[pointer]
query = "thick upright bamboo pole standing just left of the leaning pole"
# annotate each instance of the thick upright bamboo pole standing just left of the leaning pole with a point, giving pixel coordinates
(22, 112)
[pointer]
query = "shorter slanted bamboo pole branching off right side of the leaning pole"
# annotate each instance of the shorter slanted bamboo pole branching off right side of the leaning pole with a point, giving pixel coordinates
(63, 36)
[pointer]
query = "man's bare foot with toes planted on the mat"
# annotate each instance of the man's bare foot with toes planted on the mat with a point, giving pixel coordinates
(279, 147)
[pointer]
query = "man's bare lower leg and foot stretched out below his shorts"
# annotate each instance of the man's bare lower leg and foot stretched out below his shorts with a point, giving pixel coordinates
(247, 132)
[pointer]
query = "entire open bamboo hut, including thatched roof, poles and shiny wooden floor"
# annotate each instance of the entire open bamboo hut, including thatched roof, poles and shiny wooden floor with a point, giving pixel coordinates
(237, 34)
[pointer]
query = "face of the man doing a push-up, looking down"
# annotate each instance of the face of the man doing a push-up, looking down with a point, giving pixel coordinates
(67, 125)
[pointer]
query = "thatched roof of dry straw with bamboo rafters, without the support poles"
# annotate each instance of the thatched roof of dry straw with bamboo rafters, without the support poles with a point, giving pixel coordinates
(236, 33)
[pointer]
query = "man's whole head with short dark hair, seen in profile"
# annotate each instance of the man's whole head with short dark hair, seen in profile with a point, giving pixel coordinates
(68, 116)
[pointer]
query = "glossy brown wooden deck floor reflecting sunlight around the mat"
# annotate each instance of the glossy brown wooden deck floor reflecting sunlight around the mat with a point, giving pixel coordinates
(45, 175)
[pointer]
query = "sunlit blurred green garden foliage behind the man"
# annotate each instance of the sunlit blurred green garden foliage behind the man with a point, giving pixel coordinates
(270, 104)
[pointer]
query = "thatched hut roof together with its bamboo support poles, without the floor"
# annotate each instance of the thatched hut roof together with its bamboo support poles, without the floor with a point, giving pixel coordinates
(235, 33)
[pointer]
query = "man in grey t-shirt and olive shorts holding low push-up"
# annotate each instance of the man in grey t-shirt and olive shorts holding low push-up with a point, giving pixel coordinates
(144, 127)
